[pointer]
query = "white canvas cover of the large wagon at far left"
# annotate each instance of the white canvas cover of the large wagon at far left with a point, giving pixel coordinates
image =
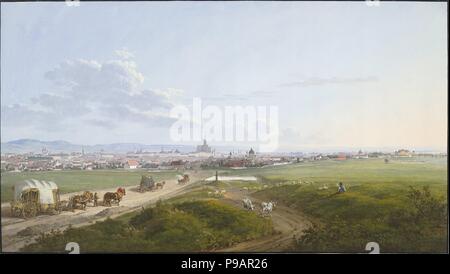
(45, 190)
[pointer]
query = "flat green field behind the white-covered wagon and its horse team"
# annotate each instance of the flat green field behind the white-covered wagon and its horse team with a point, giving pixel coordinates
(78, 180)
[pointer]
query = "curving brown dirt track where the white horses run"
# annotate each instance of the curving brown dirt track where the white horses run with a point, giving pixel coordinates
(287, 223)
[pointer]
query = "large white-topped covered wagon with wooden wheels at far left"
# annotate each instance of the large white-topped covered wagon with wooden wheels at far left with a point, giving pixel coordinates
(33, 196)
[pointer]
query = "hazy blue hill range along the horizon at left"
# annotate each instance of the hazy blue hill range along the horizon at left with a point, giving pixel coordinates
(36, 146)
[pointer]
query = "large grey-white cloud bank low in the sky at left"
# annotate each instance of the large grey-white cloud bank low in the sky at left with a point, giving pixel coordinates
(97, 94)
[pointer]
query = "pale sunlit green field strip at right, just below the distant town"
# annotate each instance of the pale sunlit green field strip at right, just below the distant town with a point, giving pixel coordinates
(415, 171)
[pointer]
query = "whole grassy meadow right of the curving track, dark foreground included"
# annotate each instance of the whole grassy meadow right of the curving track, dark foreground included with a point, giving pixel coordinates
(402, 205)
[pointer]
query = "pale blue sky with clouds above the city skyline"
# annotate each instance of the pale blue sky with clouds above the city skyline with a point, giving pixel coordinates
(341, 74)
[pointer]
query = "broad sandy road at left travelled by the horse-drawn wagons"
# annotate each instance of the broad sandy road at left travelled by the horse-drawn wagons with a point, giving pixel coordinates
(133, 200)
